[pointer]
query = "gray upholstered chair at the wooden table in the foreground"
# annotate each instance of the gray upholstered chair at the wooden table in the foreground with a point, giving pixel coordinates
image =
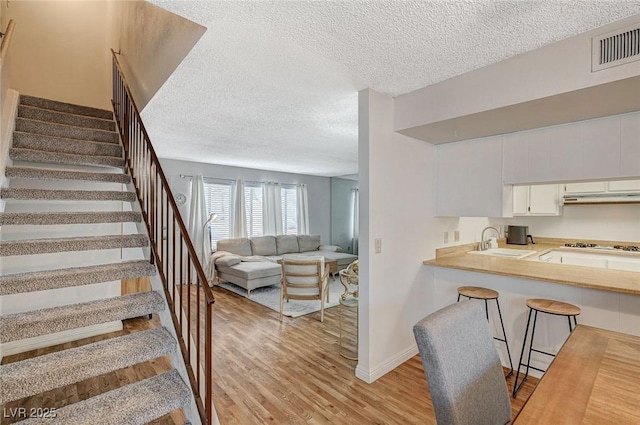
(462, 366)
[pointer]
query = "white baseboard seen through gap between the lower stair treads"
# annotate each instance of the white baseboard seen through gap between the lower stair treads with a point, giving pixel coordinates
(15, 347)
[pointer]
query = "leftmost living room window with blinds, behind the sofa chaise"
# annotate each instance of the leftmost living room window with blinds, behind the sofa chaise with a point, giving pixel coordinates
(217, 194)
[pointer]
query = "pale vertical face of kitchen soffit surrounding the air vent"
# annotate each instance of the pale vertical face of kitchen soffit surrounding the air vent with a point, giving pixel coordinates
(557, 68)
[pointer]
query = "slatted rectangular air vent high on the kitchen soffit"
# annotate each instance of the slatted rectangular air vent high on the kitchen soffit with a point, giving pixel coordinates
(615, 48)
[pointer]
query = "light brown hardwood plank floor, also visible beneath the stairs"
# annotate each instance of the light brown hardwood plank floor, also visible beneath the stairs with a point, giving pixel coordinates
(279, 373)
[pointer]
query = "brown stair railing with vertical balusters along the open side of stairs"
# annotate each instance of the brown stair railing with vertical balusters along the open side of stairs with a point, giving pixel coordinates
(158, 206)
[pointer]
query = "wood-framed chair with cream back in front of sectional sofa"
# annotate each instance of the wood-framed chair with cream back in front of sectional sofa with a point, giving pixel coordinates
(304, 278)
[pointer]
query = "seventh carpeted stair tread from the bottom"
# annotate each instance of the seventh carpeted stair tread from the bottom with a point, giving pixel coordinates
(66, 195)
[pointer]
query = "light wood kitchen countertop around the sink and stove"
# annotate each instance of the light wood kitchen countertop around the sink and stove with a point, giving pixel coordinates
(528, 268)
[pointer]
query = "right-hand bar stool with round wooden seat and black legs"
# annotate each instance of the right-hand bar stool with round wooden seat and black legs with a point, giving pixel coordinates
(557, 308)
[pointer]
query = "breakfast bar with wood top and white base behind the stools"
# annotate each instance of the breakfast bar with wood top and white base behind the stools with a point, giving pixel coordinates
(609, 299)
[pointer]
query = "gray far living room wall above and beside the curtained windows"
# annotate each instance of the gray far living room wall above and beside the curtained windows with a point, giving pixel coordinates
(319, 188)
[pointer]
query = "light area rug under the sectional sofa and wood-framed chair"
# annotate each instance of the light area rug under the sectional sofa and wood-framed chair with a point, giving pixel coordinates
(269, 296)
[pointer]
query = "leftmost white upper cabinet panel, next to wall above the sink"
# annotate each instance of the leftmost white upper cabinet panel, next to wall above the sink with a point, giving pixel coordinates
(470, 178)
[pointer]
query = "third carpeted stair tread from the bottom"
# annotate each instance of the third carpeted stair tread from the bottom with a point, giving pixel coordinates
(14, 327)
